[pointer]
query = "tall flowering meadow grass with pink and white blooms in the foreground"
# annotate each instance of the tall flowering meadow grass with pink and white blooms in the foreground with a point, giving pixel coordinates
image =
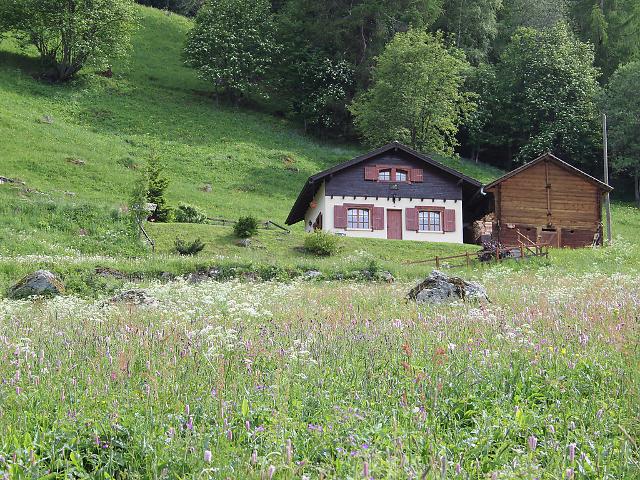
(305, 381)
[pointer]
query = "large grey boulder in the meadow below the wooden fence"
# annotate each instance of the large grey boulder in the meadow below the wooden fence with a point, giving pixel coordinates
(441, 288)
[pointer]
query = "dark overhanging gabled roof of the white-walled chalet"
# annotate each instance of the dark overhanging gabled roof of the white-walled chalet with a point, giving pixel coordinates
(313, 183)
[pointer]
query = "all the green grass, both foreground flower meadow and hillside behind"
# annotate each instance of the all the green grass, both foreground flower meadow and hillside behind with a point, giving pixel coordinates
(265, 373)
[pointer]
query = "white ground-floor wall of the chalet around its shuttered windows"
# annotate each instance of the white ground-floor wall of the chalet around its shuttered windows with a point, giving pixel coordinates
(400, 204)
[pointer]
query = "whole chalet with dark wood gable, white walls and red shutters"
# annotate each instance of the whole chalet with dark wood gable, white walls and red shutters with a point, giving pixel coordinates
(393, 192)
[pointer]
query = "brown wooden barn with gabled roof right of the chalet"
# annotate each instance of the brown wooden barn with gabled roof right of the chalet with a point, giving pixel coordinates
(548, 201)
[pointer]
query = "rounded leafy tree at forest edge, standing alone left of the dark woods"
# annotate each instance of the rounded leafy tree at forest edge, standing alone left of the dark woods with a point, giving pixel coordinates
(232, 45)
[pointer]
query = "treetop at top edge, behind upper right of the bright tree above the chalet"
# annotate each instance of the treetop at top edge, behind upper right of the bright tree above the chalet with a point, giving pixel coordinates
(473, 24)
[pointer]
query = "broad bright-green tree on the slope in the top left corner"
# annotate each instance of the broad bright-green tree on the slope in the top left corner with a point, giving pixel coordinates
(71, 34)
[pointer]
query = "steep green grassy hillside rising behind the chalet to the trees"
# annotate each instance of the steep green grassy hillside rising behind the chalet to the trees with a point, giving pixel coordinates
(104, 129)
